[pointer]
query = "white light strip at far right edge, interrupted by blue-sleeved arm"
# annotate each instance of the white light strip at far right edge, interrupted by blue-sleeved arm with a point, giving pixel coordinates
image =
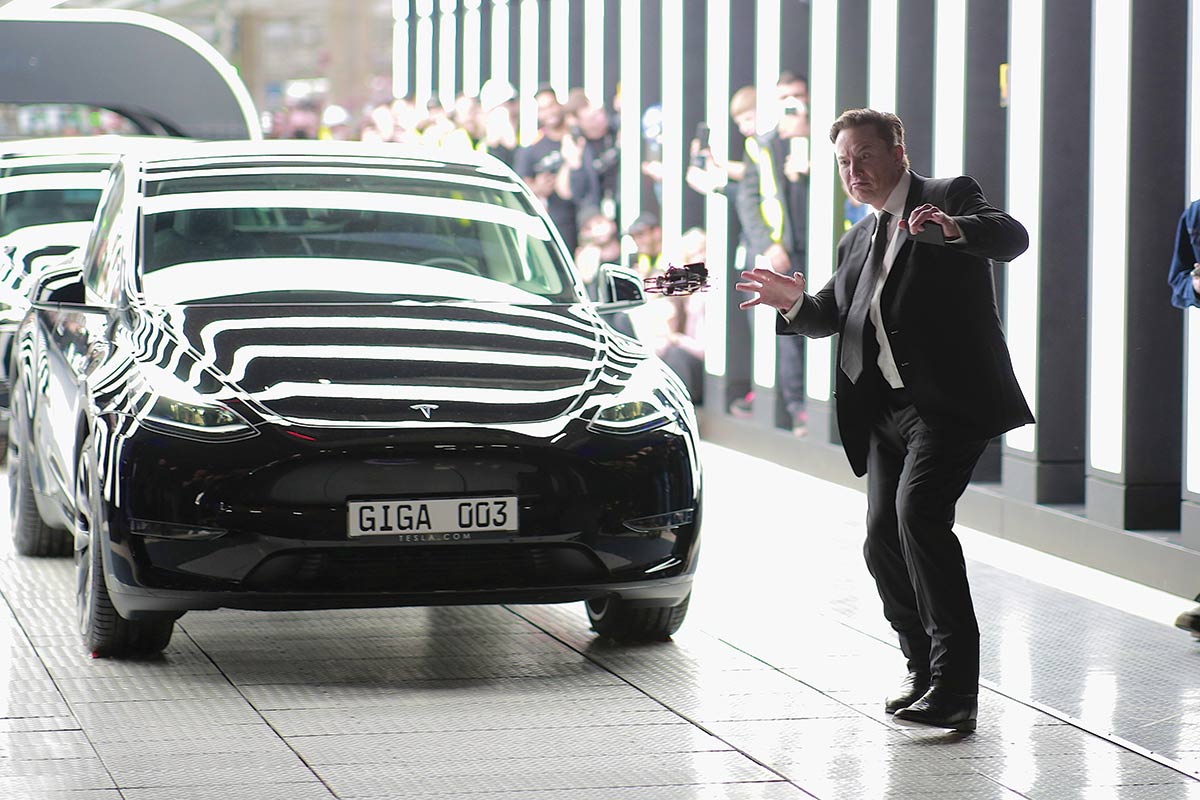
(1190, 510)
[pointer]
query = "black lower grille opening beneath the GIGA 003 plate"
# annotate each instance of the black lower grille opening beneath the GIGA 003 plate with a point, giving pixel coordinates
(446, 568)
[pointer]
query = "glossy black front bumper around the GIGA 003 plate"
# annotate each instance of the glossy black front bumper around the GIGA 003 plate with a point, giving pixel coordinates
(263, 524)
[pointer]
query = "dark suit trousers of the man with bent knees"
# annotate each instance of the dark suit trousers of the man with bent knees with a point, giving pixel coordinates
(915, 478)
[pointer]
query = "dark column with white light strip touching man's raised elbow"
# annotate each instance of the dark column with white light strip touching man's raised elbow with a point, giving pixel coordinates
(1049, 80)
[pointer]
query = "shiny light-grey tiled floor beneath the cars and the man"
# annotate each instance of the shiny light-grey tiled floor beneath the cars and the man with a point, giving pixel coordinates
(773, 690)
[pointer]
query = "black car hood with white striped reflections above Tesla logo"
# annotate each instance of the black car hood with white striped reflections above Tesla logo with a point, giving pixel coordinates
(371, 365)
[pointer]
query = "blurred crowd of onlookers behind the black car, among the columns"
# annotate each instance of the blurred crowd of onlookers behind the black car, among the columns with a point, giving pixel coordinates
(572, 166)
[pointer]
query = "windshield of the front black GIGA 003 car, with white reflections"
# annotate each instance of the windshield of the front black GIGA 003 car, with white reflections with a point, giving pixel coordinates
(345, 234)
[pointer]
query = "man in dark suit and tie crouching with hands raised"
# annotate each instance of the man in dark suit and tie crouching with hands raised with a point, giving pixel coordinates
(925, 381)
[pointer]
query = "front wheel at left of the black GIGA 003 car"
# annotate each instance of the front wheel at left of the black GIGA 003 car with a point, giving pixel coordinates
(105, 633)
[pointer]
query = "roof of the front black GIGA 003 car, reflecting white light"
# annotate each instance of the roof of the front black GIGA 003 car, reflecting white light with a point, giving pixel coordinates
(213, 155)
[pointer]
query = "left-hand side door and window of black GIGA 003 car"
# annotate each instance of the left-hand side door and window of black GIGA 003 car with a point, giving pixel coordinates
(76, 341)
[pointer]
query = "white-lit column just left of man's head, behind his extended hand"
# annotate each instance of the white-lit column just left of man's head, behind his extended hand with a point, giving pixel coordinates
(838, 82)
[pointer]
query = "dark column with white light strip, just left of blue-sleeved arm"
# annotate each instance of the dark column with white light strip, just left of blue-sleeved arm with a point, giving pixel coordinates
(1139, 74)
